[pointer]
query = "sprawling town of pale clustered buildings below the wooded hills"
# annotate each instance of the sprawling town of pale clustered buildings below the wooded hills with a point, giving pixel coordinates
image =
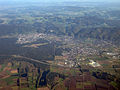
(74, 52)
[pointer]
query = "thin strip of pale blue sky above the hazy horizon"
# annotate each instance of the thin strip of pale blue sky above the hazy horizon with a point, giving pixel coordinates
(6, 2)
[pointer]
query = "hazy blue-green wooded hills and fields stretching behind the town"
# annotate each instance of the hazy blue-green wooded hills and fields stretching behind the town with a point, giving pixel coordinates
(80, 20)
